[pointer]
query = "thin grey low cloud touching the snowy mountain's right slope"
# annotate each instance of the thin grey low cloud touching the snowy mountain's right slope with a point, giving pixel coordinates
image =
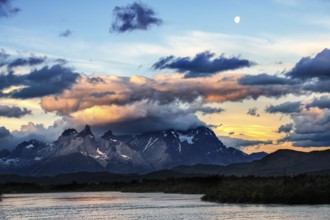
(241, 143)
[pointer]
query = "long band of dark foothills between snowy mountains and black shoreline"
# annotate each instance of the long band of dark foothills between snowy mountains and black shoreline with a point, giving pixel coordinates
(279, 163)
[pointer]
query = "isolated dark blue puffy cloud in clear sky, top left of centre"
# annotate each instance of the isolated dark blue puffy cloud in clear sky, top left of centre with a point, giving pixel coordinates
(136, 16)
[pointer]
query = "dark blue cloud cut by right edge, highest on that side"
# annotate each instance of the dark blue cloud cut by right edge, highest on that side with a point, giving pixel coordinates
(317, 67)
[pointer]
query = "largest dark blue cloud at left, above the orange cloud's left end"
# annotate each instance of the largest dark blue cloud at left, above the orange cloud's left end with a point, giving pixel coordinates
(46, 81)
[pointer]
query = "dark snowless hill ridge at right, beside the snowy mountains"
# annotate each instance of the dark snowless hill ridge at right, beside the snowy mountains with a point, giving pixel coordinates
(279, 163)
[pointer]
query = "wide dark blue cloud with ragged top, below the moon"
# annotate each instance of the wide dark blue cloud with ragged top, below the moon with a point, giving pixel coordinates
(202, 65)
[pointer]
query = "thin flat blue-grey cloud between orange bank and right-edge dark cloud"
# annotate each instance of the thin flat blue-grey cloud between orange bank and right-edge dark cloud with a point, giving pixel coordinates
(264, 79)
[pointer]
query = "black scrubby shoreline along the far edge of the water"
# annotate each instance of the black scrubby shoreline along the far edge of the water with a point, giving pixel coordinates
(302, 189)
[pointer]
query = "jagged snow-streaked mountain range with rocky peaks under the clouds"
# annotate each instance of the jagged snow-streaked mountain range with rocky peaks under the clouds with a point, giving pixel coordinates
(75, 151)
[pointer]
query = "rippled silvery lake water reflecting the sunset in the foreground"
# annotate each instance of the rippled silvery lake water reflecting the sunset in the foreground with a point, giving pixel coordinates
(115, 205)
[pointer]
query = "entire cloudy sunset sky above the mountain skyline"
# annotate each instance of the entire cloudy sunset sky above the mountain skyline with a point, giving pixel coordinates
(261, 84)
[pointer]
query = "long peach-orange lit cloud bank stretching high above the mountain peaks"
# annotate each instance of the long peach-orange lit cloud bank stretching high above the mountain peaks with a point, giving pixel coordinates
(164, 89)
